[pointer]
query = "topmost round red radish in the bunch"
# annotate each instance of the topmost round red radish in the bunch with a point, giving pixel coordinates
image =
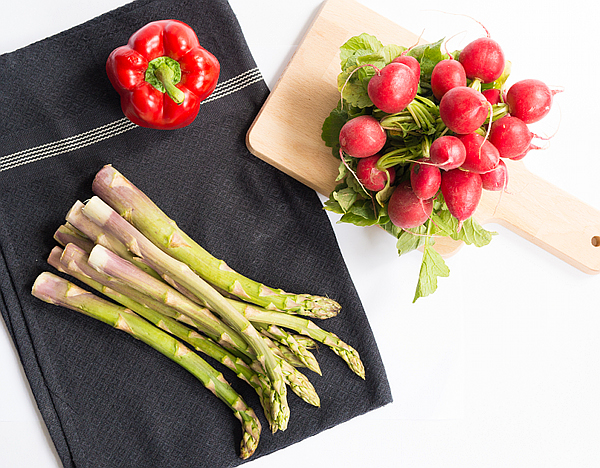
(483, 60)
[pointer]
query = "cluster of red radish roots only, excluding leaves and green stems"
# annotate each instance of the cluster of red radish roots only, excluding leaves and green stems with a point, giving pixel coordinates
(481, 125)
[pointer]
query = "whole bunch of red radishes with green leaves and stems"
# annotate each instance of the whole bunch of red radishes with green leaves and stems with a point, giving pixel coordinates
(420, 133)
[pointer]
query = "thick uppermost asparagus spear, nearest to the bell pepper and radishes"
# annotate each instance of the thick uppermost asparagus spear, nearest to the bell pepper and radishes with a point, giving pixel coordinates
(139, 210)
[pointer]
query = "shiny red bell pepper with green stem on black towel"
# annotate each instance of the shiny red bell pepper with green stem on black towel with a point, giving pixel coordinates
(162, 75)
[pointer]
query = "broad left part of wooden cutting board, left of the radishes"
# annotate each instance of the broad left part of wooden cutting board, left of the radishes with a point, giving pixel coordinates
(287, 131)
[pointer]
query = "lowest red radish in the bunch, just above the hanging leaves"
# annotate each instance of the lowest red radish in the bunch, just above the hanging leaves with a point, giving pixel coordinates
(406, 210)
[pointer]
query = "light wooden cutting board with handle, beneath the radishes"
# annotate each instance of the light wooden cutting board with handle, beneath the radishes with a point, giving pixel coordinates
(287, 134)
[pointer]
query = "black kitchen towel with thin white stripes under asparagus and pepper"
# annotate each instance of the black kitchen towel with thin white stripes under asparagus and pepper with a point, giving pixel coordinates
(109, 400)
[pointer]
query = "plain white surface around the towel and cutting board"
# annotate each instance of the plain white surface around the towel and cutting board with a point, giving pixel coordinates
(500, 367)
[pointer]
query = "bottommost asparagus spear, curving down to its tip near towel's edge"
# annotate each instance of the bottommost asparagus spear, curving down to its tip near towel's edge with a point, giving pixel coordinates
(55, 290)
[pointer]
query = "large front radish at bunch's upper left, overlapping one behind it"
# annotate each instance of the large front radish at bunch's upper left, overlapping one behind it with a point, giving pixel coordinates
(393, 88)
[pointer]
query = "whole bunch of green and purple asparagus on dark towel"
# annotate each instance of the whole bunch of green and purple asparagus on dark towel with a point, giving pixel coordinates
(163, 288)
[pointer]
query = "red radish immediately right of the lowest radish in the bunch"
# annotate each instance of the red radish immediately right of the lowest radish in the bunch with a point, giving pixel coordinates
(462, 192)
